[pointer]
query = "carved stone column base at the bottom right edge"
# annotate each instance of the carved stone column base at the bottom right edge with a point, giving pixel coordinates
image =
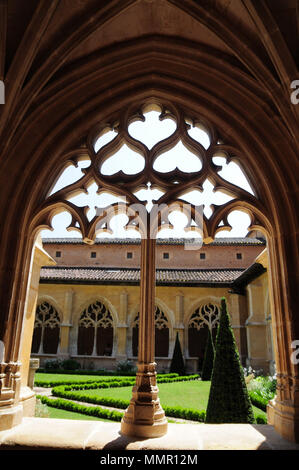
(285, 419)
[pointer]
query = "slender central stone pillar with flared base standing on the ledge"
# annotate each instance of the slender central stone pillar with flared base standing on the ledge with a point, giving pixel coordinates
(145, 417)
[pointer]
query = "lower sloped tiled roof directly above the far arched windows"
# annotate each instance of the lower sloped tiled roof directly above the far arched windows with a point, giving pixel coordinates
(116, 275)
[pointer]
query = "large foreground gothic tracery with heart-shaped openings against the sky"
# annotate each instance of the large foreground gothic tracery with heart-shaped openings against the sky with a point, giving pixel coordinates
(156, 155)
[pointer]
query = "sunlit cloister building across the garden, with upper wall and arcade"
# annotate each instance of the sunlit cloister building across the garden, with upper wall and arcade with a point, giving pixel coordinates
(88, 304)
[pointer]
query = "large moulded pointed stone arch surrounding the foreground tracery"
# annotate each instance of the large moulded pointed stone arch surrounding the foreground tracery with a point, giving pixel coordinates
(250, 112)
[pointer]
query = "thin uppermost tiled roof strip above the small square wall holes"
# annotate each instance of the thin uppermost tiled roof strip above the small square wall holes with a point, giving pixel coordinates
(160, 241)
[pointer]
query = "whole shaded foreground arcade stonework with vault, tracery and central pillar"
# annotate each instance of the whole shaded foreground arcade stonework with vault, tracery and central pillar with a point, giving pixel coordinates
(72, 74)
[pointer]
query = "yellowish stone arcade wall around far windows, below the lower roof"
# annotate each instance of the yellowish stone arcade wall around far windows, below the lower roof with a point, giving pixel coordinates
(177, 303)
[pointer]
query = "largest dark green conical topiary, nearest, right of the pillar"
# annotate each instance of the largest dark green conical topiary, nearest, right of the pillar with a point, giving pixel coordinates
(228, 400)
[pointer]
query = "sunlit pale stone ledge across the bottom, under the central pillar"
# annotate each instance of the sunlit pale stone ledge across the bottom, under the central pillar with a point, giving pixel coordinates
(60, 434)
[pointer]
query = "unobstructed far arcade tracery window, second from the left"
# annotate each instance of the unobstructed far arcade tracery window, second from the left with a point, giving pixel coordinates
(95, 331)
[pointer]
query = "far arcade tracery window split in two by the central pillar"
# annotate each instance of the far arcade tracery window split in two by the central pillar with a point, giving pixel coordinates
(161, 334)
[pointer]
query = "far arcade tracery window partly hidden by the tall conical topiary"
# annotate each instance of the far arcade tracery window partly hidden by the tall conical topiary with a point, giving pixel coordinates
(205, 318)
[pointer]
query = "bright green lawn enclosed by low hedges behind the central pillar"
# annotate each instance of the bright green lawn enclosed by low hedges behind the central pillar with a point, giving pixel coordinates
(193, 394)
